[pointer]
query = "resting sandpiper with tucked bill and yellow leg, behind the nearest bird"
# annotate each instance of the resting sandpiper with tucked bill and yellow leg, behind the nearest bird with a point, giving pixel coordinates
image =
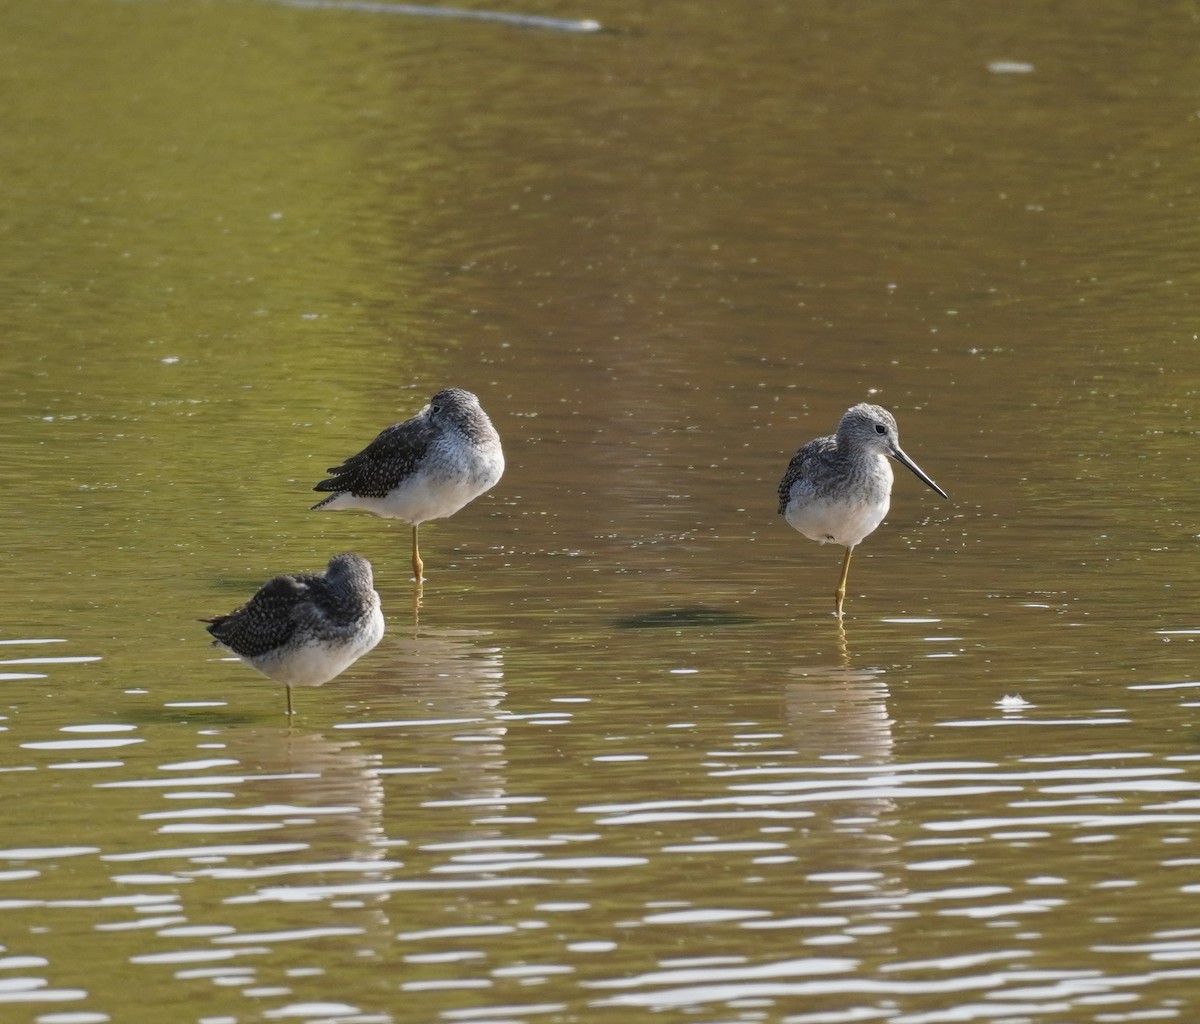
(427, 468)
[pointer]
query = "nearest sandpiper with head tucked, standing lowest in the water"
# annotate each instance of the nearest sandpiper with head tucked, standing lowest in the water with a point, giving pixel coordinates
(303, 631)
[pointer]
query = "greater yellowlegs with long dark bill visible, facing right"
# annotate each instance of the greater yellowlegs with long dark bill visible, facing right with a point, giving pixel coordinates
(838, 488)
